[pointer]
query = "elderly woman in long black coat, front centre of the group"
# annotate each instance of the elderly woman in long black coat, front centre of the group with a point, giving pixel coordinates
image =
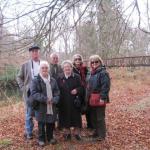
(70, 102)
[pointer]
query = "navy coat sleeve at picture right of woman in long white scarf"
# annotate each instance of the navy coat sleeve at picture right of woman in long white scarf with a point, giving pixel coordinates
(56, 93)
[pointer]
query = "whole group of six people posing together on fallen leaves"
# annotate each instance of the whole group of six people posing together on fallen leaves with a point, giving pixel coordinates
(62, 93)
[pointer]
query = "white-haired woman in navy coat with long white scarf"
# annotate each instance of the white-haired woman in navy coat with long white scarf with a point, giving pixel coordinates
(45, 92)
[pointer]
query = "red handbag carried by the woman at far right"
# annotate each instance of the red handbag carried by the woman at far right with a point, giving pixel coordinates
(94, 100)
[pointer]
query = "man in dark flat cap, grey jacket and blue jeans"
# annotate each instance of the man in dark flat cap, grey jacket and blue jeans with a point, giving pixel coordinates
(27, 72)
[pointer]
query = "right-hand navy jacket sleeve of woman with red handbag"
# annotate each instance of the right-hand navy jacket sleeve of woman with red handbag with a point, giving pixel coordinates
(105, 86)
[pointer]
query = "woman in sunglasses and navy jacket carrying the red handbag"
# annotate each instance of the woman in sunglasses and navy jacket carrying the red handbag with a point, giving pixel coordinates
(99, 82)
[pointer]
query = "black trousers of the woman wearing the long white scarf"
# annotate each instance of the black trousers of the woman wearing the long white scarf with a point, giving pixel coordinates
(45, 130)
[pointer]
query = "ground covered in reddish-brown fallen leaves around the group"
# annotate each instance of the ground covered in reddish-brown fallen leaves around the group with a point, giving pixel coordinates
(127, 117)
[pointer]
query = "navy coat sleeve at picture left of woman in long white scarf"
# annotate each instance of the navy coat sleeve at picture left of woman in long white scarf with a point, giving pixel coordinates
(36, 92)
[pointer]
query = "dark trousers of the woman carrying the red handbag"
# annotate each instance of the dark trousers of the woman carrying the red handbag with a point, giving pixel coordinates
(98, 120)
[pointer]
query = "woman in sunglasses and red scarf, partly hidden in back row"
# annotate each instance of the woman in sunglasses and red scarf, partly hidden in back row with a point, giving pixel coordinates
(82, 71)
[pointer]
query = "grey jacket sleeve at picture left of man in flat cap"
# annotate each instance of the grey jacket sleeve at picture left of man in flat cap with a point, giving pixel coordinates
(20, 77)
